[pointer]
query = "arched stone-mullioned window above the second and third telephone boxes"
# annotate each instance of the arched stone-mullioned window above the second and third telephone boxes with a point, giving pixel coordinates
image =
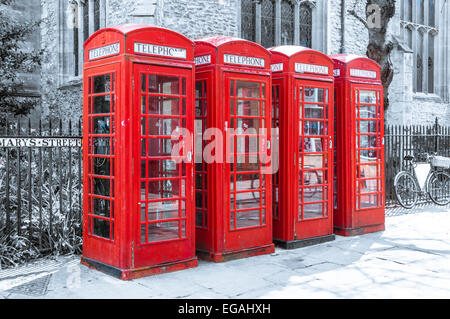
(277, 22)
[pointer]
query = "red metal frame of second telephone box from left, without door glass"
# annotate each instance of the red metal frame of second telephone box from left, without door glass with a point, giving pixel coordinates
(215, 240)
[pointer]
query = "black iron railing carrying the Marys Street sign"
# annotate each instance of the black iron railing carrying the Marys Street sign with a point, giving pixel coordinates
(40, 186)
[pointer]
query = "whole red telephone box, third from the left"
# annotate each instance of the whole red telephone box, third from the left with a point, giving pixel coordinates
(302, 94)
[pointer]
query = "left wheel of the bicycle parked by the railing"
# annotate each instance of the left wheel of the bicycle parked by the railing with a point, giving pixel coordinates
(406, 189)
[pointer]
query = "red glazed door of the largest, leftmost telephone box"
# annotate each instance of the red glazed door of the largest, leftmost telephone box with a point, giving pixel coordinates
(166, 201)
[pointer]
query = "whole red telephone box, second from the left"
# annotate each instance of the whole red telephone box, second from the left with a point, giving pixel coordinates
(233, 192)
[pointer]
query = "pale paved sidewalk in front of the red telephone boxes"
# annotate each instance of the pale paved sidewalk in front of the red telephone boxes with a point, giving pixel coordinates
(411, 259)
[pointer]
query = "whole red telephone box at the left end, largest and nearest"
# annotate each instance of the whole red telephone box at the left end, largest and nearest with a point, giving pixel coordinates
(138, 198)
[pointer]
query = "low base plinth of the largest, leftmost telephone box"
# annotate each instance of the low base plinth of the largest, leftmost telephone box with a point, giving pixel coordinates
(128, 274)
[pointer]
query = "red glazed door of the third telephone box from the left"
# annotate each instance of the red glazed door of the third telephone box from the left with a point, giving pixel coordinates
(315, 116)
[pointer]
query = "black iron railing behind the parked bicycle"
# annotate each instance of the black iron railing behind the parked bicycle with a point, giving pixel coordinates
(402, 140)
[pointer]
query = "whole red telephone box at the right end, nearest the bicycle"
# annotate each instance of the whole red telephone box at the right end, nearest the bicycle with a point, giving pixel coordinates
(359, 178)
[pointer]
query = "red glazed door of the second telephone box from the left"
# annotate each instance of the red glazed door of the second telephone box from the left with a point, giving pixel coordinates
(248, 204)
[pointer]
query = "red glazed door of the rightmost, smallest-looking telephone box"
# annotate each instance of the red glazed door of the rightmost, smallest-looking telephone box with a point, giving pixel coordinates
(369, 152)
